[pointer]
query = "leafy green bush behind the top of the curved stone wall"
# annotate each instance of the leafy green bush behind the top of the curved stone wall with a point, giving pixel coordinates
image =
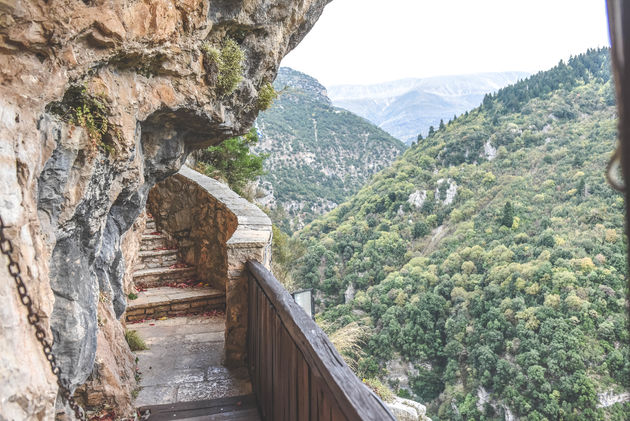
(233, 162)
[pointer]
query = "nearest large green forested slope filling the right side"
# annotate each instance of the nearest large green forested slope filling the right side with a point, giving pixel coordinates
(487, 264)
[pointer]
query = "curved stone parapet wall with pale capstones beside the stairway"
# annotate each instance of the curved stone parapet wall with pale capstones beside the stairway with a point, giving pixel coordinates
(217, 231)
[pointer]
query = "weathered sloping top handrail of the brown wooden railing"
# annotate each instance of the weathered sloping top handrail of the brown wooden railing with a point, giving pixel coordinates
(353, 398)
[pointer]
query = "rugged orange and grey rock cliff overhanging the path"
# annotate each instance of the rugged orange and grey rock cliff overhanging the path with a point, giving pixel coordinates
(99, 100)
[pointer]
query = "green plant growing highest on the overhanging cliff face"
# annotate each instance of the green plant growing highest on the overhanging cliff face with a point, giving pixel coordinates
(228, 64)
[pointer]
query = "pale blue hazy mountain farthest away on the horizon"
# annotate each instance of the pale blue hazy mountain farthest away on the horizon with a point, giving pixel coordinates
(405, 108)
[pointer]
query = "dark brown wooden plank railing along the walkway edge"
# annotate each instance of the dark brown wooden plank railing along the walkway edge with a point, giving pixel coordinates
(296, 372)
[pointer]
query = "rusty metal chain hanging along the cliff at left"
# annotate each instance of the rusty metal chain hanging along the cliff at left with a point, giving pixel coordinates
(33, 319)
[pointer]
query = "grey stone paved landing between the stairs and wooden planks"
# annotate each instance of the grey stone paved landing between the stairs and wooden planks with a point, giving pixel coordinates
(183, 362)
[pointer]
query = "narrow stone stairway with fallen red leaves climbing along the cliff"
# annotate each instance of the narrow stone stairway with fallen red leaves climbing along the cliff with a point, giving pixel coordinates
(166, 286)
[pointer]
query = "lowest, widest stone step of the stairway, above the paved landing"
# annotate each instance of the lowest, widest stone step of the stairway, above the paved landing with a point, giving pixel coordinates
(167, 301)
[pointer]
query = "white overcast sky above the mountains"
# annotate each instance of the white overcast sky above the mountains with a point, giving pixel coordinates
(370, 41)
